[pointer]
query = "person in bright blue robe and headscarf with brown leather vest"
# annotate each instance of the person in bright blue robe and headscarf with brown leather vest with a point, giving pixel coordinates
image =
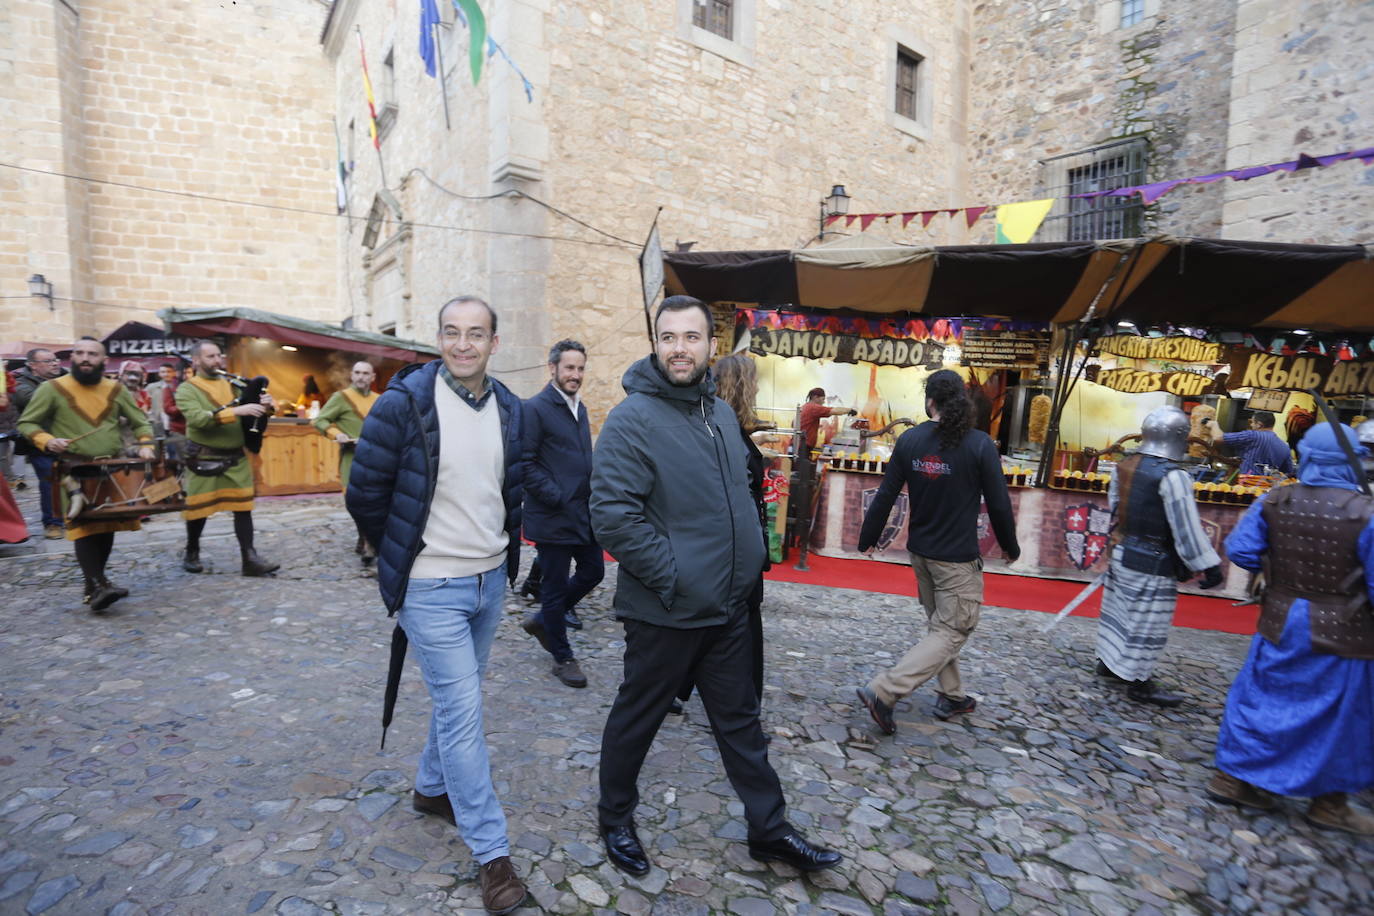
(1300, 716)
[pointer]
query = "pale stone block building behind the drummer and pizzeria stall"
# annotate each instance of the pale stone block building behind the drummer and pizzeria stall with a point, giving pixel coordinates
(193, 100)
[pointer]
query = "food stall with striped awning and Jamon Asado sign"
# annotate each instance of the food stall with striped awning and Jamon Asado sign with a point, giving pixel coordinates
(1056, 362)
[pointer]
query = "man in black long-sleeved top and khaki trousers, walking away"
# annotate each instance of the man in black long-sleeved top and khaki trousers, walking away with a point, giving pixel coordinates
(949, 470)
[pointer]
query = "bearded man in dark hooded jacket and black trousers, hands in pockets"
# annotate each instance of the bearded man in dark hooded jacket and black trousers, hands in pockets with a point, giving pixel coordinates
(671, 503)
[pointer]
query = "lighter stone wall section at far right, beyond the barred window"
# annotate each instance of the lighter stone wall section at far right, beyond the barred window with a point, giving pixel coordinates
(1302, 84)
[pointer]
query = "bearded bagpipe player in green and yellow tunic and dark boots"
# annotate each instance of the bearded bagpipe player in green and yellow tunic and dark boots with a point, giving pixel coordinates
(221, 477)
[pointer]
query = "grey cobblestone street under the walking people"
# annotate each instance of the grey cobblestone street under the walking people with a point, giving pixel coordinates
(211, 746)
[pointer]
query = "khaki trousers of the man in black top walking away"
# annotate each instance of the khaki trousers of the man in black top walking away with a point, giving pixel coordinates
(953, 598)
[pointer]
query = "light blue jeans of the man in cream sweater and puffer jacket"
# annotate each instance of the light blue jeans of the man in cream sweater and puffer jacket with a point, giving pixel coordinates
(451, 624)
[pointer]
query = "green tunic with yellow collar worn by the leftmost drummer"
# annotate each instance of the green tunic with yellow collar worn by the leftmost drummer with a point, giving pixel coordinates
(64, 409)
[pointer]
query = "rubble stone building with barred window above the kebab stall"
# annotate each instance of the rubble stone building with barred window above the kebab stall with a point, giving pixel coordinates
(1068, 94)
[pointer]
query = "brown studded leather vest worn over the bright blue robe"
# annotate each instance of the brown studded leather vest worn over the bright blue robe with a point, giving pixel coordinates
(1313, 538)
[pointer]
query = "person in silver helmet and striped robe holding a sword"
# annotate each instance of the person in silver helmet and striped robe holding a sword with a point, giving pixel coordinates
(1158, 543)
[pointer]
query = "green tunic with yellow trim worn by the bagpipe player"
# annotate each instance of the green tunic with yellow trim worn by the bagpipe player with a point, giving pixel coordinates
(212, 424)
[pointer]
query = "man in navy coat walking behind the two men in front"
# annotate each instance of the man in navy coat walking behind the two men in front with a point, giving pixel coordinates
(559, 470)
